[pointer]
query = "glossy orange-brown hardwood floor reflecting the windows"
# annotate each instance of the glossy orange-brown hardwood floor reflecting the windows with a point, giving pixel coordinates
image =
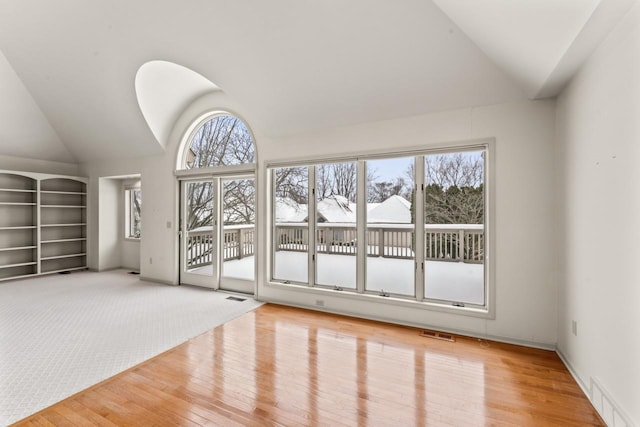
(286, 366)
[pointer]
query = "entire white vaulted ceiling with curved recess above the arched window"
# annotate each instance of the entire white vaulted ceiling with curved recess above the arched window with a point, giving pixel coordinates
(68, 67)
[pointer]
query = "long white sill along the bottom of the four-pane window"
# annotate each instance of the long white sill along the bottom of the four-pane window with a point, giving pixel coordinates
(484, 313)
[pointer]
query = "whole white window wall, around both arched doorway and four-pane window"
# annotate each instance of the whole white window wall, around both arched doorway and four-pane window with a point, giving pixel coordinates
(526, 288)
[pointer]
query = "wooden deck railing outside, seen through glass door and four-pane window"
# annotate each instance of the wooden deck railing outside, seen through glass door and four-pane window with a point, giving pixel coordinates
(457, 242)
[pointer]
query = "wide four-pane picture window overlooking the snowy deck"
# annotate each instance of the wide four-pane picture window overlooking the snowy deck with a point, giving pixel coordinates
(420, 234)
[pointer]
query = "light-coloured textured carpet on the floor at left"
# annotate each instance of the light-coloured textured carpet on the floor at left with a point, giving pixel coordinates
(60, 334)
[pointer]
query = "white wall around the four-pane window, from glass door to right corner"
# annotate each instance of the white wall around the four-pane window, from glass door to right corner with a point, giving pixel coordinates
(525, 247)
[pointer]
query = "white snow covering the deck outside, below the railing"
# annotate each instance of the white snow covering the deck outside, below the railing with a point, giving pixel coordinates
(448, 281)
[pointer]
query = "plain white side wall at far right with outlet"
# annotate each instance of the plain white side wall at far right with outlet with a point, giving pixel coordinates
(599, 150)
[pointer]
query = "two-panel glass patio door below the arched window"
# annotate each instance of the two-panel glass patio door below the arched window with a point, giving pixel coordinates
(217, 237)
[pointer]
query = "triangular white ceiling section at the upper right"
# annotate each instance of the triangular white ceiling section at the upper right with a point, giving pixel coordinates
(539, 43)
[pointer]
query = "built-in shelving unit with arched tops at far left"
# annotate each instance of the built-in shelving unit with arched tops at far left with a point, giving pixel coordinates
(43, 225)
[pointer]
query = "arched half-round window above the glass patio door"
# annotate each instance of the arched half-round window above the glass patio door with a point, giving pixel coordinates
(223, 140)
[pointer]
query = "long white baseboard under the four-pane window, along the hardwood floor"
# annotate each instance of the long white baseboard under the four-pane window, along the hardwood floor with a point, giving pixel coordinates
(541, 346)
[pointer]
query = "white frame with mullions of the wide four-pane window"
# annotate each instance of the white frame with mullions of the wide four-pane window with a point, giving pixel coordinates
(485, 311)
